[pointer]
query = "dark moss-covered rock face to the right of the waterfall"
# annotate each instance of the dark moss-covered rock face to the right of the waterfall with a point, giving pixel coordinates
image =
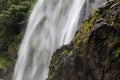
(94, 53)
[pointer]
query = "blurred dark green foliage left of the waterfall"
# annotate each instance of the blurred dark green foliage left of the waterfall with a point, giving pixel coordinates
(13, 18)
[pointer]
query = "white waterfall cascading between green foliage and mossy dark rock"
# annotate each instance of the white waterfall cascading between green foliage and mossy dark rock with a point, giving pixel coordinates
(52, 24)
